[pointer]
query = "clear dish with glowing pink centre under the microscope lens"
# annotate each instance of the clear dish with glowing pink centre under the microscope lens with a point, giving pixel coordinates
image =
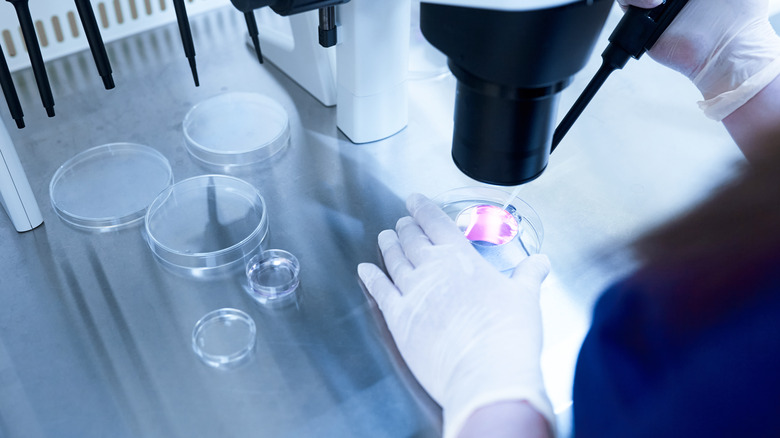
(502, 227)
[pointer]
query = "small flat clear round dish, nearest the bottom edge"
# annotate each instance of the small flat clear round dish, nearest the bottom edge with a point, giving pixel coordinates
(224, 338)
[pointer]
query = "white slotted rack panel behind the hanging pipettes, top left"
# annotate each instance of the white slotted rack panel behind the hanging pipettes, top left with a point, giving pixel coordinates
(59, 28)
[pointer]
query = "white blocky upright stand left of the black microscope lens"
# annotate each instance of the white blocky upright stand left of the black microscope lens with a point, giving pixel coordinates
(372, 60)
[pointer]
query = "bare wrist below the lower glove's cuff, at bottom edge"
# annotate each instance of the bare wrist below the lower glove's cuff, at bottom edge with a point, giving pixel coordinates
(510, 419)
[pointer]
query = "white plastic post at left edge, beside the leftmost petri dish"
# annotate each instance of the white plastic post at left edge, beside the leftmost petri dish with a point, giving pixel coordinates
(15, 192)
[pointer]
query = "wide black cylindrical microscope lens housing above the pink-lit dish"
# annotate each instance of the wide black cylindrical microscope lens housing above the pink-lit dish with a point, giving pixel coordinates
(510, 67)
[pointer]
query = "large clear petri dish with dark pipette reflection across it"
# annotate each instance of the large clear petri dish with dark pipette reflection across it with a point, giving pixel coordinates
(207, 225)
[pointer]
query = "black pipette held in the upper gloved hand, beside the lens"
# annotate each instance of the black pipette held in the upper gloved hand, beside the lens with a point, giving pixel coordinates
(636, 33)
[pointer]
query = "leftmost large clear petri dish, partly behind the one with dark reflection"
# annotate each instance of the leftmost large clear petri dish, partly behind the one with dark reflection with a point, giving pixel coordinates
(109, 186)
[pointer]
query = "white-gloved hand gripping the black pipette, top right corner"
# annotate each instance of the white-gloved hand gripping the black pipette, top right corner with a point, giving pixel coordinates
(727, 48)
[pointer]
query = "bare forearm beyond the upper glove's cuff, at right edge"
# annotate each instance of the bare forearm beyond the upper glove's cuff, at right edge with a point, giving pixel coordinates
(755, 125)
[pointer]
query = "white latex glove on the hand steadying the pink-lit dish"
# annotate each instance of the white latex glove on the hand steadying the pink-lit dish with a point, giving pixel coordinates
(470, 335)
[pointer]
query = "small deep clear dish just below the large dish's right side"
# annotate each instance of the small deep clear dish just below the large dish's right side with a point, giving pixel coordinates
(273, 274)
